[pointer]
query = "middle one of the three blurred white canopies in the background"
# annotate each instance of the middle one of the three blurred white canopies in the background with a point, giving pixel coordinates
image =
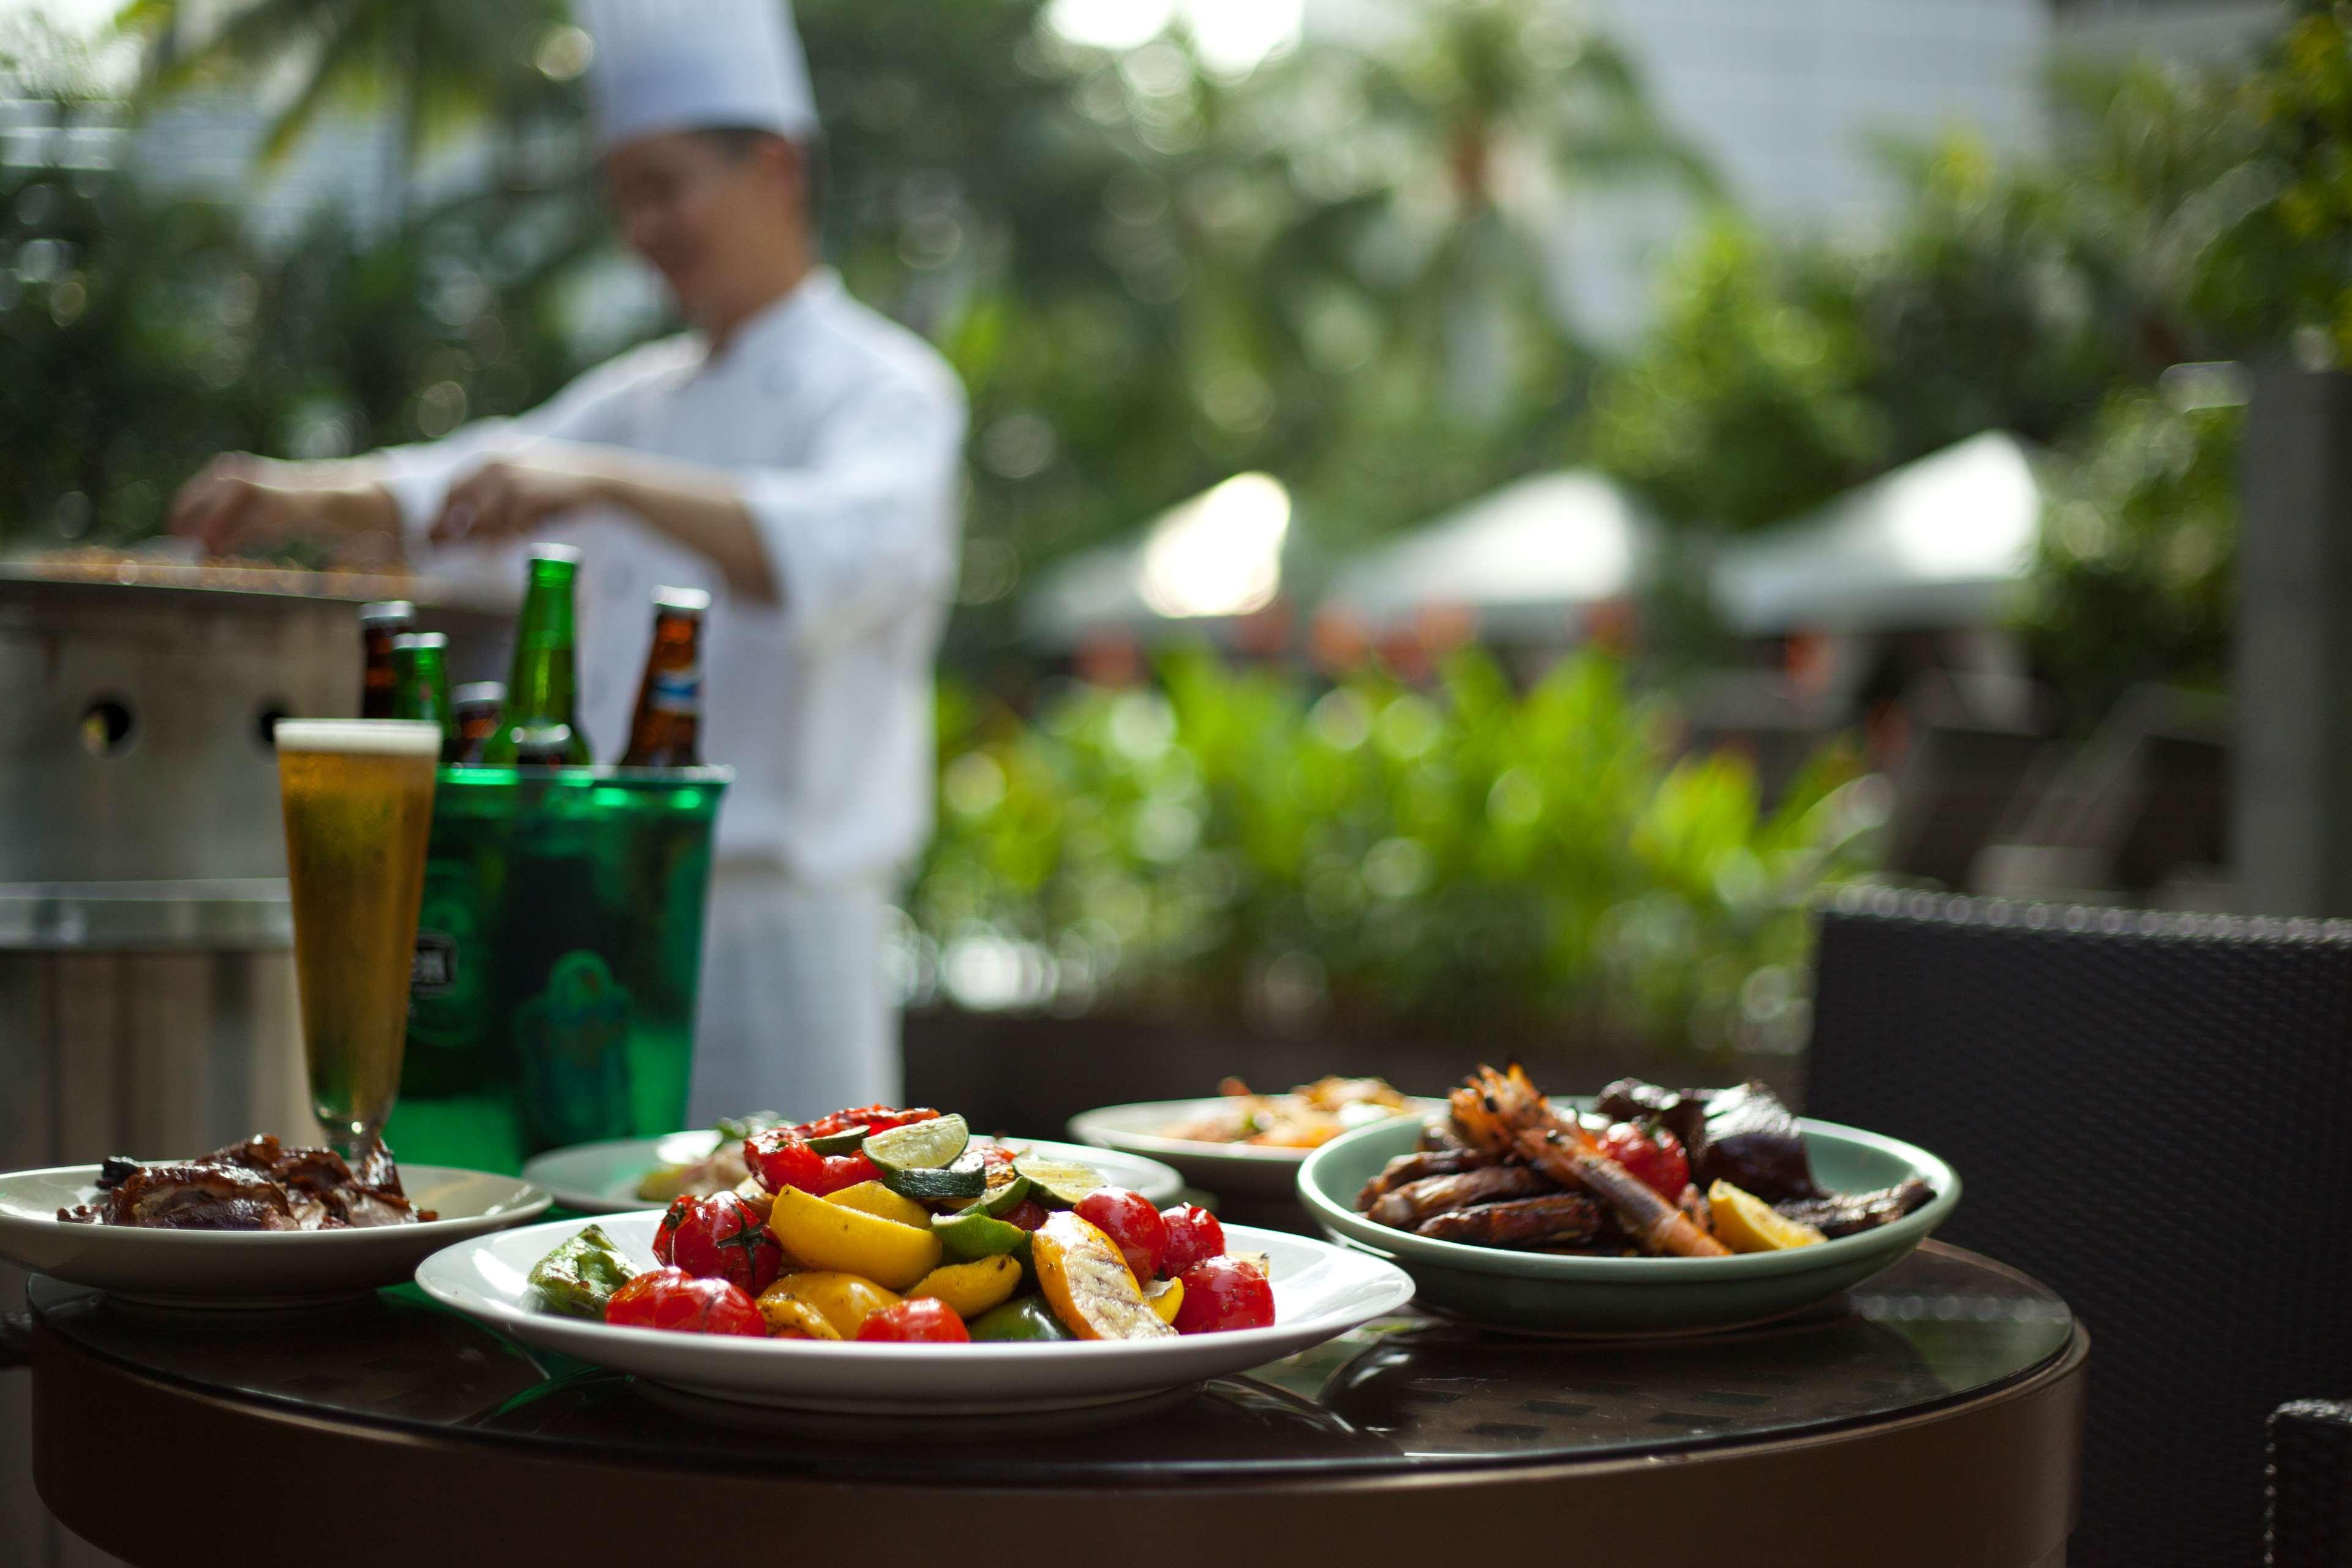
(1521, 558)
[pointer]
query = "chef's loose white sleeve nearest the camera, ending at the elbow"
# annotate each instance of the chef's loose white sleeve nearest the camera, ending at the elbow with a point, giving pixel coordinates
(867, 530)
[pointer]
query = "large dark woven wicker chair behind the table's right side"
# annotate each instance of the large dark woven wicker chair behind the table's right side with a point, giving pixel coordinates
(2153, 1115)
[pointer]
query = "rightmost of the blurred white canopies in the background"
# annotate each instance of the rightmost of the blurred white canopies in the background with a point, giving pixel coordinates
(1935, 544)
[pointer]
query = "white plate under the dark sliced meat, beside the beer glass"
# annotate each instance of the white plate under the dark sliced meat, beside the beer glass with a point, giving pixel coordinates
(248, 1268)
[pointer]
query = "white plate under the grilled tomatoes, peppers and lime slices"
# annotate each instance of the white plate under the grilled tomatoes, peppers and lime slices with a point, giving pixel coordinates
(1321, 1292)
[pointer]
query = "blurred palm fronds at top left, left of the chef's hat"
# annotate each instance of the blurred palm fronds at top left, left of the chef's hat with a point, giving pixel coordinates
(436, 65)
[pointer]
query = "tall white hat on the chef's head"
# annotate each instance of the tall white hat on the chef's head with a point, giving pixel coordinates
(695, 67)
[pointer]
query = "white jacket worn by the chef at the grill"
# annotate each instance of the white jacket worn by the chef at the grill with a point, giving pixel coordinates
(846, 434)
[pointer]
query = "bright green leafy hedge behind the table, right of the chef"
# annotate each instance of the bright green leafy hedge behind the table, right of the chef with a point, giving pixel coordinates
(1464, 862)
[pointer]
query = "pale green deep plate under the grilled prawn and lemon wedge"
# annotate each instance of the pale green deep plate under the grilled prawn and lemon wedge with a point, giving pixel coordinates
(1624, 1296)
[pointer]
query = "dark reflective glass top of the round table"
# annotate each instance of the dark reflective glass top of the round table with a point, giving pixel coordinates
(1401, 1393)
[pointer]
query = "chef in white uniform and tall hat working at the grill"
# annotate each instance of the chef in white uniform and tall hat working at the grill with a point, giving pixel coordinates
(796, 455)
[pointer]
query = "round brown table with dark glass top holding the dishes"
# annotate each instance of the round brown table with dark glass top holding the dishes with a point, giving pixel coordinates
(1927, 1419)
